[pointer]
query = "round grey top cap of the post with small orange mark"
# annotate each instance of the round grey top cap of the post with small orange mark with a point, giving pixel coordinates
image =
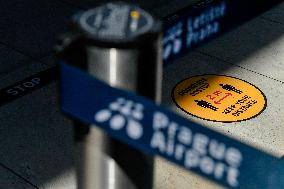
(117, 22)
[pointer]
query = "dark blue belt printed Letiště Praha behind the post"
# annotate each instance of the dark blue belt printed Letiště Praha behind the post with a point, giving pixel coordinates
(196, 24)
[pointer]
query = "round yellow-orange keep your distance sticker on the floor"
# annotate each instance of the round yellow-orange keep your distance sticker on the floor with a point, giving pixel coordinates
(219, 98)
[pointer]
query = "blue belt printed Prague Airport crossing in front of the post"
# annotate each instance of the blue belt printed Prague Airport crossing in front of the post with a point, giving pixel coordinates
(155, 130)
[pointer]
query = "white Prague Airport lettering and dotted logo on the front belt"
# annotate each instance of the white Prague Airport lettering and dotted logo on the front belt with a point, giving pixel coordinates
(194, 150)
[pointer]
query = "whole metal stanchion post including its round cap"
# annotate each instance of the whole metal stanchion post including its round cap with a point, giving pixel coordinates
(119, 44)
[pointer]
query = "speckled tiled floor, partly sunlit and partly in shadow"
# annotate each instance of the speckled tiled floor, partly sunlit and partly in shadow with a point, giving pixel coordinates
(36, 141)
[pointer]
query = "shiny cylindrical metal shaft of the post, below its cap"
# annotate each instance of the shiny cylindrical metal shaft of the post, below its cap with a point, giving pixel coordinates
(103, 162)
